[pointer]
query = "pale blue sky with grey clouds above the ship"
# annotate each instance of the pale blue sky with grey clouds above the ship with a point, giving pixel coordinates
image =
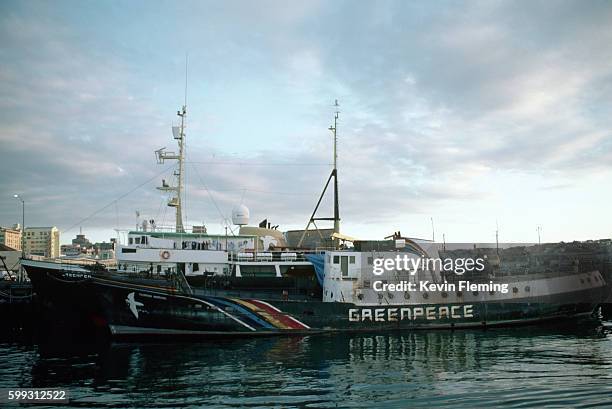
(470, 113)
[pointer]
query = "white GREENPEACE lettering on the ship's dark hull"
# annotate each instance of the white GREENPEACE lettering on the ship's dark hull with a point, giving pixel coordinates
(431, 313)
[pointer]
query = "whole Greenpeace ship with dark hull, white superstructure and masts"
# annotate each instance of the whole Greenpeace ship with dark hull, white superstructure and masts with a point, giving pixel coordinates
(259, 281)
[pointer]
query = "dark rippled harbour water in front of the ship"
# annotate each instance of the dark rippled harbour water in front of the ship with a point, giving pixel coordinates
(514, 367)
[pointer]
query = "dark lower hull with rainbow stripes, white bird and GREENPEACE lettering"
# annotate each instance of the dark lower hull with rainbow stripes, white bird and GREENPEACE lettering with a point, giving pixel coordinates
(129, 309)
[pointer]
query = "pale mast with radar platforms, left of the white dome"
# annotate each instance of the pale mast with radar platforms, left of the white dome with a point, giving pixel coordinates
(162, 156)
